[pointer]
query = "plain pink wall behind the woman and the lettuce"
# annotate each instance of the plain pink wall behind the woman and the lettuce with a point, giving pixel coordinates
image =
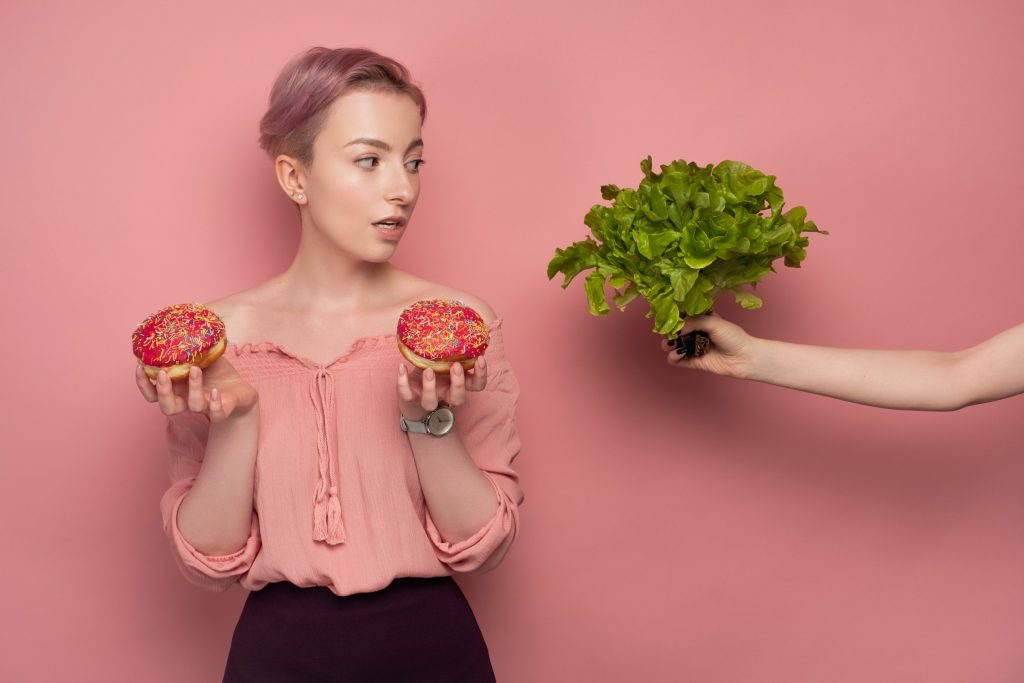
(678, 527)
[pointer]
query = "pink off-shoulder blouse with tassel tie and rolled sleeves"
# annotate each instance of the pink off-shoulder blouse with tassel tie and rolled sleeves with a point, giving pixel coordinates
(337, 500)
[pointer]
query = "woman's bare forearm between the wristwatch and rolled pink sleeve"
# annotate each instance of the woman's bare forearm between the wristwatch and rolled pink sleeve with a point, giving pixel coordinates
(460, 498)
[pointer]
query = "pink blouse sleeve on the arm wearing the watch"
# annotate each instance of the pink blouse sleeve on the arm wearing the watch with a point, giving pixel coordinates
(487, 423)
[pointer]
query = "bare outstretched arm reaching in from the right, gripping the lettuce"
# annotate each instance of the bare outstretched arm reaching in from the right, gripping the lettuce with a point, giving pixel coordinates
(907, 380)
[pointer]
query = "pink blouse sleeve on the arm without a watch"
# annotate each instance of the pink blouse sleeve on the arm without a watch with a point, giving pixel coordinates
(187, 437)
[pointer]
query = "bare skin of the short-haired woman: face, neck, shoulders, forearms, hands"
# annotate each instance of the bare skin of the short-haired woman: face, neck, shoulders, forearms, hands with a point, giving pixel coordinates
(339, 288)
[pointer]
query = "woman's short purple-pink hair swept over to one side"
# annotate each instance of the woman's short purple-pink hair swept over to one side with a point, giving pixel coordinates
(311, 82)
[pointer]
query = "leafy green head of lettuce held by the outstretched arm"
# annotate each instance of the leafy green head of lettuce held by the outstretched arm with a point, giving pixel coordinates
(684, 238)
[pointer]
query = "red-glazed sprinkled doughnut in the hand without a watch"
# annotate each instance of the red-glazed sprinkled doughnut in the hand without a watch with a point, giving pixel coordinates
(179, 337)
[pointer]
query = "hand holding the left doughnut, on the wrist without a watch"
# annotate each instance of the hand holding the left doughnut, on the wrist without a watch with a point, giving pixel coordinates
(219, 393)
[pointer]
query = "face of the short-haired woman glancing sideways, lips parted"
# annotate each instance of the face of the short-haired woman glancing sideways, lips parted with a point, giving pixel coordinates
(364, 182)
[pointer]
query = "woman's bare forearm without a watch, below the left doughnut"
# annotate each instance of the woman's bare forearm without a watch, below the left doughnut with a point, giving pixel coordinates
(217, 515)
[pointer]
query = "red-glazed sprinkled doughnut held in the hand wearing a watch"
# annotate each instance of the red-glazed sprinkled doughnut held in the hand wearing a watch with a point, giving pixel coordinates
(437, 333)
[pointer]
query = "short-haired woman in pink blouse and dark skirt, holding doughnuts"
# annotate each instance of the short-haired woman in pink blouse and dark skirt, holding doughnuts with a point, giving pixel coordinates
(290, 474)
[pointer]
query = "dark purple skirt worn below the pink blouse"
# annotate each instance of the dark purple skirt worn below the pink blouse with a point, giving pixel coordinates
(416, 630)
